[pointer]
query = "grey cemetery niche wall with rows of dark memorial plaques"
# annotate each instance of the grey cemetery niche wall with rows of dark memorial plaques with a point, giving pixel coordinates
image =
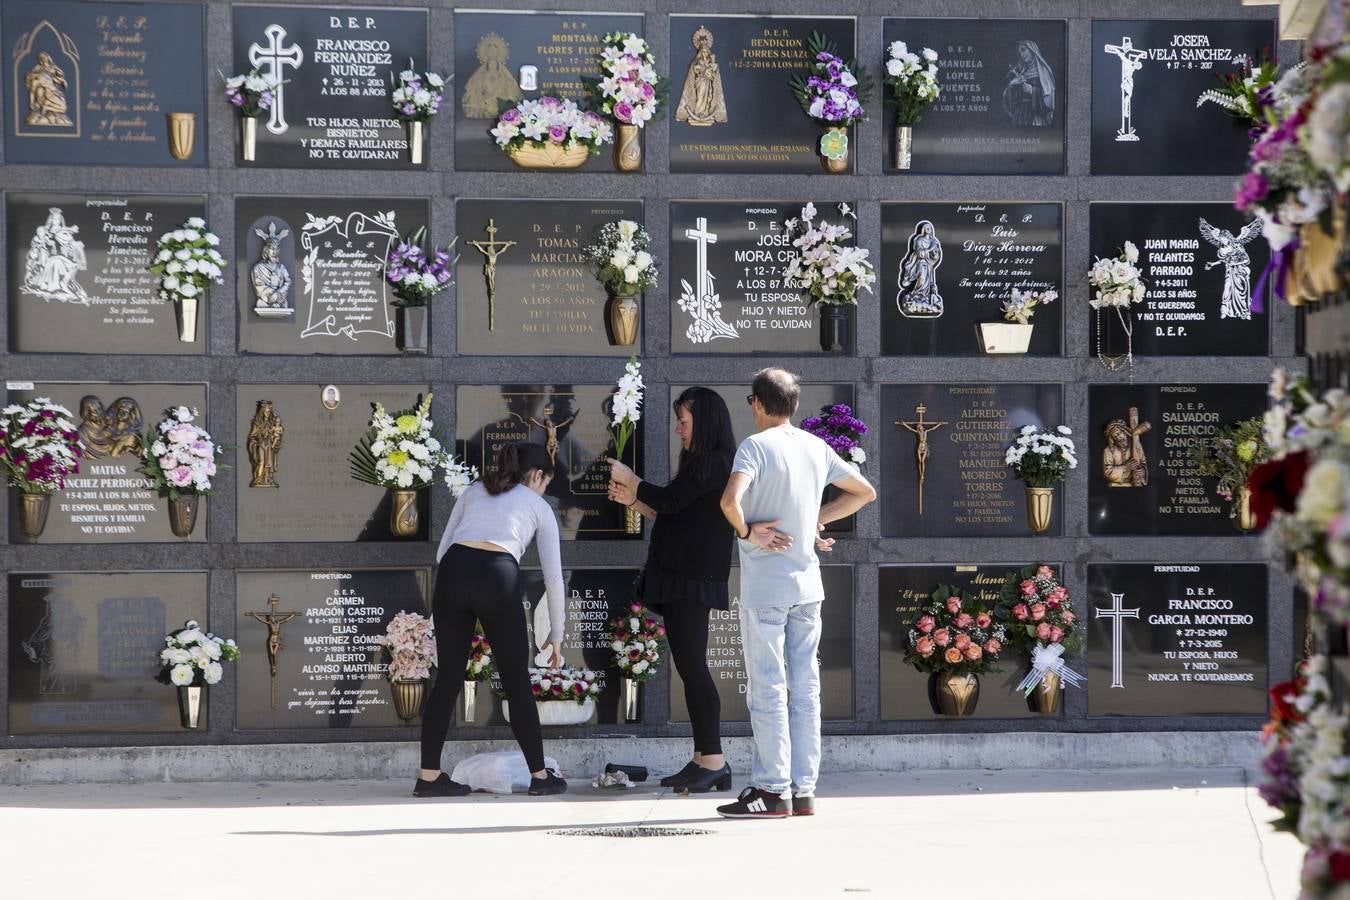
(118, 130)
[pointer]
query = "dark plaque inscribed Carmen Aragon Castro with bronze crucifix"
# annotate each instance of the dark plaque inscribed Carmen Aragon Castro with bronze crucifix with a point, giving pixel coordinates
(330, 671)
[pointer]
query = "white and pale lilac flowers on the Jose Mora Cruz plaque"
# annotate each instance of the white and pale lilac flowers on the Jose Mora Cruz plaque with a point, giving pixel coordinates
(823, 265)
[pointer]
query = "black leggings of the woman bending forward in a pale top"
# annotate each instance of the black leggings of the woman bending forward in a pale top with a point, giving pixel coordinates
(484, 586)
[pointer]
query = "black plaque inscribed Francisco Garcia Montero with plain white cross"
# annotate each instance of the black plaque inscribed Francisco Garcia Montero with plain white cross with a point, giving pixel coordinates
(1178, 640)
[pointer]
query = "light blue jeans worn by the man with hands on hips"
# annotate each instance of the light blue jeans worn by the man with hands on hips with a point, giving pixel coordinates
(781, 647)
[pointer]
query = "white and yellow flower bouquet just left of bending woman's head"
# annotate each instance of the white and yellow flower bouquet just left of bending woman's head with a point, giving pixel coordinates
(400, 450)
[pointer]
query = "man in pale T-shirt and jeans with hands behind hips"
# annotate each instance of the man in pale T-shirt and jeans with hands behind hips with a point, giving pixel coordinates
(774, 503)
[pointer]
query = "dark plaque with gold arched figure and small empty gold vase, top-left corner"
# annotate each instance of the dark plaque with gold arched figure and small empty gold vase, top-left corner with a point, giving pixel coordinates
(94, 84)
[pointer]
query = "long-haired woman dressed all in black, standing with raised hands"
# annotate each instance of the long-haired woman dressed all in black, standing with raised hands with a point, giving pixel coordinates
(688, 563)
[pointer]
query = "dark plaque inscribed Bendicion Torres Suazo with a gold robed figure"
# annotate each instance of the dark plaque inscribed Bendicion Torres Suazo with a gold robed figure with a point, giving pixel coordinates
(765, 129)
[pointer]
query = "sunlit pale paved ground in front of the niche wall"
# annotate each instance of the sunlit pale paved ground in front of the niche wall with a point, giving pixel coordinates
(1156, 835)
